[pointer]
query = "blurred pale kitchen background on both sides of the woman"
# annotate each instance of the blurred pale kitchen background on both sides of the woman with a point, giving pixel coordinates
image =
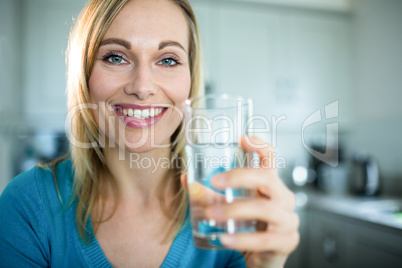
(329, 72)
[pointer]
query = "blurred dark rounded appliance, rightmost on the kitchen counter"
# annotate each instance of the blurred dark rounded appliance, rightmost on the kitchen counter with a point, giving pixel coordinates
(365, 177)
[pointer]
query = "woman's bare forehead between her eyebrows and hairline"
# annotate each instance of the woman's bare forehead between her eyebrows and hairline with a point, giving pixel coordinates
(147, 22)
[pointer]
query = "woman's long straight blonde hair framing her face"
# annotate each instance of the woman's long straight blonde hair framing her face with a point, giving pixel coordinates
(85, 38)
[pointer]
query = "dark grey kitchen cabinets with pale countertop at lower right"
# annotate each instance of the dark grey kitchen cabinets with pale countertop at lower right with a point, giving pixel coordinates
(347, 231)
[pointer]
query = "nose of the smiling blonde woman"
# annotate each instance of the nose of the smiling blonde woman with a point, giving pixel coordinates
(142, 83)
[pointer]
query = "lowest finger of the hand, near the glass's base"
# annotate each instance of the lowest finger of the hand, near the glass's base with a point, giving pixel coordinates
(260, 241)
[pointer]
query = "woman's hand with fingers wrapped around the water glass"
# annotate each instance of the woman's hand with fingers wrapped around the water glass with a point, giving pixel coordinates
(277, 229)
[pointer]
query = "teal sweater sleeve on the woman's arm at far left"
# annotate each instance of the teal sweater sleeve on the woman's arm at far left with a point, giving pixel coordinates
(23, 240)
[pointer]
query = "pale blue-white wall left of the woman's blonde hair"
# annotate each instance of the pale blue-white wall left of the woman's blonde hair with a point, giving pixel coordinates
(33, 38)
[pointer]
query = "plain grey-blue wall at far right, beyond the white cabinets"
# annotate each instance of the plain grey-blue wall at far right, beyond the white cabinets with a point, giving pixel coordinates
(378, 85)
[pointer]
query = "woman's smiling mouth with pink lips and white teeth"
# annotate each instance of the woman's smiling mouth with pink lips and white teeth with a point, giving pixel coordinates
(139, 116)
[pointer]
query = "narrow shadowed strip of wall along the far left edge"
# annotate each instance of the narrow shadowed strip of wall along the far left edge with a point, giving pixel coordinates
(10, 84)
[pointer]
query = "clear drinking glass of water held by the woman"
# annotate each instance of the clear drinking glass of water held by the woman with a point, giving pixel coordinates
(214, 125)
